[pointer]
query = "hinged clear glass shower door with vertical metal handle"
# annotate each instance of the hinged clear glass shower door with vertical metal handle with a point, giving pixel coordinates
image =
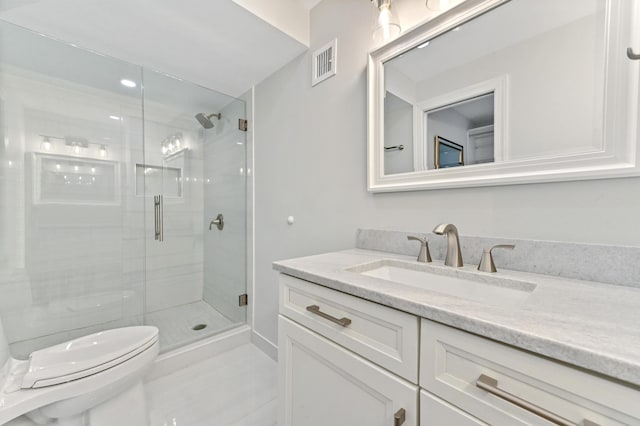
(193, 171)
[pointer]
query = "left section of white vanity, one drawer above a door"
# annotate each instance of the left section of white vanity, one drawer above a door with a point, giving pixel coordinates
(324, 383)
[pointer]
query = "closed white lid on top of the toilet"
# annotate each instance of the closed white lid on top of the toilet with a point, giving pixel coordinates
(67, 361)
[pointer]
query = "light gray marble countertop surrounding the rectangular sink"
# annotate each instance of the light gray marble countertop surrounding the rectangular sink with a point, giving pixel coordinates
(590, 325)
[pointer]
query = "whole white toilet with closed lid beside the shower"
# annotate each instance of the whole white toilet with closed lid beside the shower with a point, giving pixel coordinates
(95, 380)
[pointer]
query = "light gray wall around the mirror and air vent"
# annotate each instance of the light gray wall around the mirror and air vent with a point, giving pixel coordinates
(310, 162)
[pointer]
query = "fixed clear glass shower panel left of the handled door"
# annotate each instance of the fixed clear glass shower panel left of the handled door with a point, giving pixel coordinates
(71, 236)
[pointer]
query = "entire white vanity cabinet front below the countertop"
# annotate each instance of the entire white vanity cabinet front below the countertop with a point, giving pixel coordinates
(346, 361)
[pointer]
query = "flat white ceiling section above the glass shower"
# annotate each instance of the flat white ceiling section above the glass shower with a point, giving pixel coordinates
(216, 44)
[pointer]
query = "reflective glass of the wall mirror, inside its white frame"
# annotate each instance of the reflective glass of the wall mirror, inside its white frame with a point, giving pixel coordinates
(522, 81)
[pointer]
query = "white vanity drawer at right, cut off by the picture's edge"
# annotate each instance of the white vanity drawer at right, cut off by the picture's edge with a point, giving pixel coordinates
(453, 361)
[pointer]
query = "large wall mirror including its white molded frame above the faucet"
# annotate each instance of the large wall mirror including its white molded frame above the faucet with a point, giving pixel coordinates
(521, 91)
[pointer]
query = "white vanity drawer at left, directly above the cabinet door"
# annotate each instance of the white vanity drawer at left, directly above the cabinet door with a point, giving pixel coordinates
(381, 334)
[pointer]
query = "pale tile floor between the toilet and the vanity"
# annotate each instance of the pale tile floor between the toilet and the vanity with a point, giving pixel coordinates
(235, 388)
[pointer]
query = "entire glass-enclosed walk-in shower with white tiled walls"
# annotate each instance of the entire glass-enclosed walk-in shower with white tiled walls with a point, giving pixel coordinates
(90, 169)
